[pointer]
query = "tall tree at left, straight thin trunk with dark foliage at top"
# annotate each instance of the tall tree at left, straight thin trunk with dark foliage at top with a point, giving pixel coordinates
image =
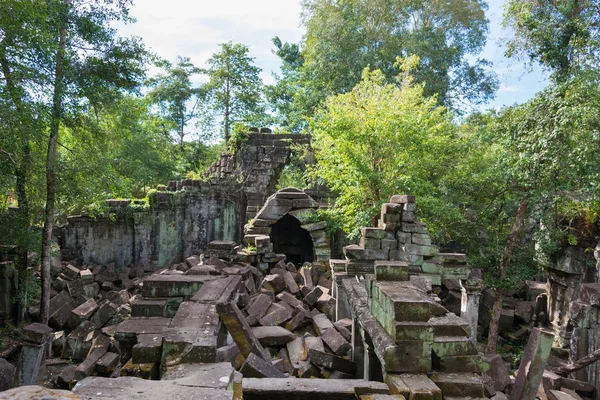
(92, 62)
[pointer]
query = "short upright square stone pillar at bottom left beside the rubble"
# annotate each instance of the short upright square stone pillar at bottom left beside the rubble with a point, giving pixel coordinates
(33, 351)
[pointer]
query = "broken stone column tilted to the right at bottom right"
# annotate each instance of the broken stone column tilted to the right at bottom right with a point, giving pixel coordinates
(532, 365)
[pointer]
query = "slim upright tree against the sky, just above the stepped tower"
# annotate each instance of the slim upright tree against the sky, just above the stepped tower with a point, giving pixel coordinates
(234, 89)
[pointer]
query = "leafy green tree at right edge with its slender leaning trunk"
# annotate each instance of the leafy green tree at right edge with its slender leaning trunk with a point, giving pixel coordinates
(548, 153)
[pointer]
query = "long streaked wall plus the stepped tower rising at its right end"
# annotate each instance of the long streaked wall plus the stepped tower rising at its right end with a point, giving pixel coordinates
(185, 215)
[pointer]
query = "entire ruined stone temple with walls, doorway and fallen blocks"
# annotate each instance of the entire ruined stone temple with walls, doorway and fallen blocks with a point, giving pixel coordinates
(164, 302)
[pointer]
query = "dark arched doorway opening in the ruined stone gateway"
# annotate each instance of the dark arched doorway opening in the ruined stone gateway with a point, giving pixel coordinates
(290, 239)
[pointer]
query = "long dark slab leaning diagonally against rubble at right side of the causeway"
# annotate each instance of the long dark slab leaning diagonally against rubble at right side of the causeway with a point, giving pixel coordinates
(240, 331)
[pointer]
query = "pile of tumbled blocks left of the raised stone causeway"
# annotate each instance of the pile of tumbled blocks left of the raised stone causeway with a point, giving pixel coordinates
(87, 305)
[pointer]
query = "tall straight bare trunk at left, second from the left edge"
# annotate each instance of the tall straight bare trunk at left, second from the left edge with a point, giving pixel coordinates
(51, 176)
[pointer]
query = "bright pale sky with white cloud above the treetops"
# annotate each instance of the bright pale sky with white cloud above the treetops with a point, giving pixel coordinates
(195, 29)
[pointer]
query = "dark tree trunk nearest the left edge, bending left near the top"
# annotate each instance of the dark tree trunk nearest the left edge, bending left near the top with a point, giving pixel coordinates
(22, 175)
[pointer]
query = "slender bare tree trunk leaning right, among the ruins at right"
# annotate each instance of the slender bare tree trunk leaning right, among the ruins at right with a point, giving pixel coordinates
(504, 264)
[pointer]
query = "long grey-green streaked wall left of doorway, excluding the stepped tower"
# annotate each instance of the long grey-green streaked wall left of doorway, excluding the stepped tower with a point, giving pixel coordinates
(176, 225)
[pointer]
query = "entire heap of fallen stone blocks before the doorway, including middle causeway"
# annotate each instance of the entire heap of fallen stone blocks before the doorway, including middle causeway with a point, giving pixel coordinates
(140, 322)
